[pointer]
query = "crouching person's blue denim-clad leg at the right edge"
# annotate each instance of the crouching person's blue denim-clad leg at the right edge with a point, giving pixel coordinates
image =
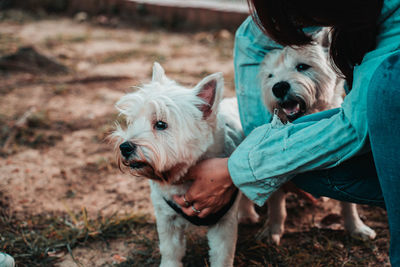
(384, 131)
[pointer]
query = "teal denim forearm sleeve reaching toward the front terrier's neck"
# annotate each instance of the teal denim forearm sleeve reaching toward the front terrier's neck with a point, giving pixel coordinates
(271, 155)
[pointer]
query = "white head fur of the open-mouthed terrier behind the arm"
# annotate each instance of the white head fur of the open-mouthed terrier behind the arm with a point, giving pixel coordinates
(316, 88)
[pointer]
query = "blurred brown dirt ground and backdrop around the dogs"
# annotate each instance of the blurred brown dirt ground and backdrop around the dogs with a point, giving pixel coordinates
(63, 200)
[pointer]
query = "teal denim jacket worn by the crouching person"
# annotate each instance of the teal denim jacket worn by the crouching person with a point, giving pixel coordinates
(272, 153)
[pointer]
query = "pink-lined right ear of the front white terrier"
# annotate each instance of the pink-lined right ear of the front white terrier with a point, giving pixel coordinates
(210, 90)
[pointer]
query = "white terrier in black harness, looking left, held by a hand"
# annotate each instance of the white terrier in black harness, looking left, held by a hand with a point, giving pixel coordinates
(169, 129)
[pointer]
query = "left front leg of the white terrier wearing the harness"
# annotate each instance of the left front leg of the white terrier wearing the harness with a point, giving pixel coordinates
(172, 241)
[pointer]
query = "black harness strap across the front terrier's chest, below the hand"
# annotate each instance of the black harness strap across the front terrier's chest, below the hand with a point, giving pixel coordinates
(210, 219)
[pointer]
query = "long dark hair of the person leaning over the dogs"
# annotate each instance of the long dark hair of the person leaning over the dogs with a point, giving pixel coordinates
(354, 26)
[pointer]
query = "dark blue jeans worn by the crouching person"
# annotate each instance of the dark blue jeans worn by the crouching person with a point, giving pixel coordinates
(372, 178)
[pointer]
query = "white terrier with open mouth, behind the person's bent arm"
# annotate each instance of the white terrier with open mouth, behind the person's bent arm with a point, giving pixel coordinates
(295, 82)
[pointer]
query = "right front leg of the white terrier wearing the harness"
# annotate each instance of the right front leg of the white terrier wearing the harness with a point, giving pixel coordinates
(222, 240)
